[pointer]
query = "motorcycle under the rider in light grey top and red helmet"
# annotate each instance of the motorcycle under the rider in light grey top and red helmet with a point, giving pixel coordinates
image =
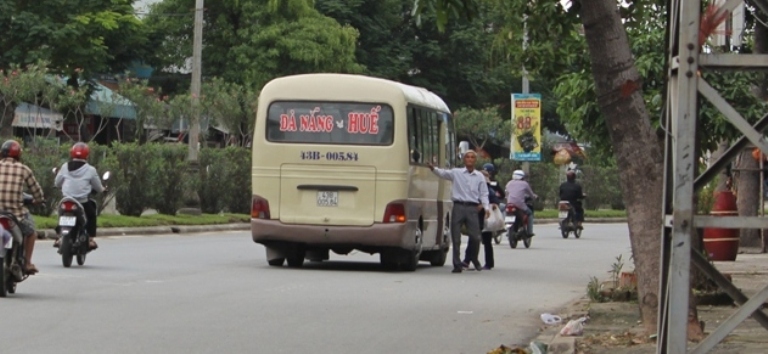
(71, 230)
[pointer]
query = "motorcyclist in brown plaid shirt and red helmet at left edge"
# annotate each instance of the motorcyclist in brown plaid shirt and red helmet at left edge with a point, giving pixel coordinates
(14, 176)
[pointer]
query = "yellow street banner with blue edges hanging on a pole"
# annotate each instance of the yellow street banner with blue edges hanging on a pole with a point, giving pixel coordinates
(526, 127)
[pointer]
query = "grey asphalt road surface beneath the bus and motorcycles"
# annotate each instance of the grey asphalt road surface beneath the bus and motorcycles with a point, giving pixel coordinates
(215, 293)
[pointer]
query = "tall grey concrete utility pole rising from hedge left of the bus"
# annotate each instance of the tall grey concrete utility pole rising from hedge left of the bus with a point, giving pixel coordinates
(191, 198)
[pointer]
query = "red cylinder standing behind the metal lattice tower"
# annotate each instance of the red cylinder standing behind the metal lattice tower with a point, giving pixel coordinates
(722, 244)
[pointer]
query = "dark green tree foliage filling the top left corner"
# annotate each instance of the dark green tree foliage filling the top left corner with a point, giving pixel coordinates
(95, 36)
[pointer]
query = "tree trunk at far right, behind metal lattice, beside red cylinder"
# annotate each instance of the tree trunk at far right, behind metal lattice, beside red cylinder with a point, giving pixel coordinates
(748, 195)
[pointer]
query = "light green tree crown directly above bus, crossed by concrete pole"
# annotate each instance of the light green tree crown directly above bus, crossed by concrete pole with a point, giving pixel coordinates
(249, 42)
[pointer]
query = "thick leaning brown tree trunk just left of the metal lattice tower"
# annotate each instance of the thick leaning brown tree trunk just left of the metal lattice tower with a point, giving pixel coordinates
(638, 150)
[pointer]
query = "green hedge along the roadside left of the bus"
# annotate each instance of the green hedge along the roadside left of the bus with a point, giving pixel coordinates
(152, 176)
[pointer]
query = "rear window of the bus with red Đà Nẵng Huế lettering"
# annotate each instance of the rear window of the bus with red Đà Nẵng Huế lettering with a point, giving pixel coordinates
(330, 123)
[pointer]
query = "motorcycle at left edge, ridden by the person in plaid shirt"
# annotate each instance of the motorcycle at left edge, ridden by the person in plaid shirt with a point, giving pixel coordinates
(12, 255)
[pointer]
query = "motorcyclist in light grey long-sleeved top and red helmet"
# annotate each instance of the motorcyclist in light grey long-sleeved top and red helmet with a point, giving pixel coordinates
(77, 179)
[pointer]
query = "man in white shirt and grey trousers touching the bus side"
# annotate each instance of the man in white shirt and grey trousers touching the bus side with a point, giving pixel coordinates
(469, 194)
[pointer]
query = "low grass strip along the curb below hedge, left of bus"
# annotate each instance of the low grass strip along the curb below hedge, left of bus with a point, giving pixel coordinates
(109, 220)
